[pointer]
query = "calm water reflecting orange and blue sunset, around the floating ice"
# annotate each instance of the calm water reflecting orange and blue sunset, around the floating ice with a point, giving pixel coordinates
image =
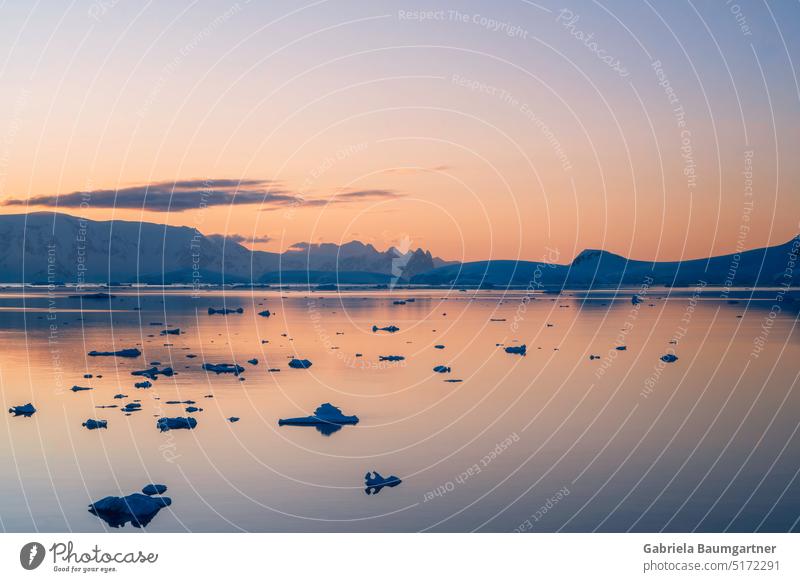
(550, 441)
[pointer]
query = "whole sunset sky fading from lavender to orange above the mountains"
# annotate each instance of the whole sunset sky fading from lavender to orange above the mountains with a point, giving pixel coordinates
(476, 129)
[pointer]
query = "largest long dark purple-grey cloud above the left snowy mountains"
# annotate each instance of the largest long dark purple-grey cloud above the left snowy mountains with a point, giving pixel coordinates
(171, 196)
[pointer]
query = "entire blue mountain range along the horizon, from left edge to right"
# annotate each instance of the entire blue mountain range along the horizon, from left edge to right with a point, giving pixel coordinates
(44, 247)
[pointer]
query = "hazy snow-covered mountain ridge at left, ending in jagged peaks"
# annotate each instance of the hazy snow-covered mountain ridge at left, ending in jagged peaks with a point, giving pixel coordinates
(43, 247)
